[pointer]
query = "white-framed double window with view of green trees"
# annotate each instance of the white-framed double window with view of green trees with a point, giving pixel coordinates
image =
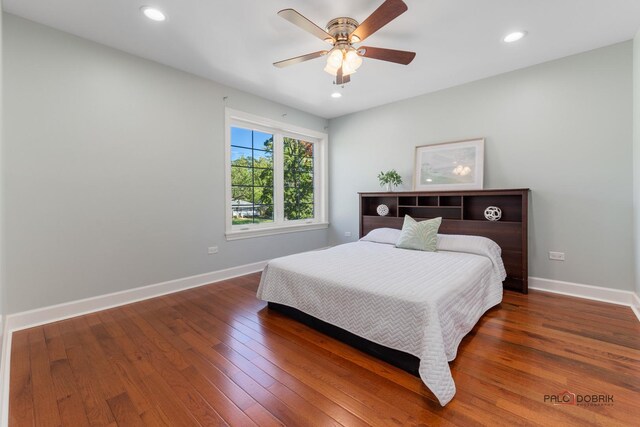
(276, 177)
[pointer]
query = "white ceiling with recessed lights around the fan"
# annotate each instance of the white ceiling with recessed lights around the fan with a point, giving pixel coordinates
(234, 42)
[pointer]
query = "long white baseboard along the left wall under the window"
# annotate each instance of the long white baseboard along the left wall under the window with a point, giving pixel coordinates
(41, 316)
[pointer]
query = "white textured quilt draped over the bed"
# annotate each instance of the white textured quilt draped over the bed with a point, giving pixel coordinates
(422, 303)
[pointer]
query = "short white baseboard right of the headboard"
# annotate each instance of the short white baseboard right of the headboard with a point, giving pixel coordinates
(596, 293)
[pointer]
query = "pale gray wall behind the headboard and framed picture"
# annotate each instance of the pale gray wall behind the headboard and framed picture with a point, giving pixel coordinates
(563, 129)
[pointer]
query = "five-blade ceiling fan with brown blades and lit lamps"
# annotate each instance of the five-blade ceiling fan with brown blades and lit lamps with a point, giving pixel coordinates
(343, 59)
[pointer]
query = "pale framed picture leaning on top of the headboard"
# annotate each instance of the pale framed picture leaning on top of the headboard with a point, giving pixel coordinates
(449, 166)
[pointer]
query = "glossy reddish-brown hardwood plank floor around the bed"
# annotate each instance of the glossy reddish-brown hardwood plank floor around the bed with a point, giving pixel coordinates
(215, 355)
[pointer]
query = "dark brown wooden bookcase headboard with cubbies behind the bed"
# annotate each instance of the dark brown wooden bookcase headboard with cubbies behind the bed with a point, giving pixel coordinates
(462, 212)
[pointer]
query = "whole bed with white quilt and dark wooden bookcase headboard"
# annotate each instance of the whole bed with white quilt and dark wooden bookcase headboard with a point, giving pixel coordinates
(409, 308)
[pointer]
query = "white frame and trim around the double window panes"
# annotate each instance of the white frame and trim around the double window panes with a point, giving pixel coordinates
(320, 169)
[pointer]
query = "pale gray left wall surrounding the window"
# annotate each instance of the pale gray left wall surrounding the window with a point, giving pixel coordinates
(114, 172)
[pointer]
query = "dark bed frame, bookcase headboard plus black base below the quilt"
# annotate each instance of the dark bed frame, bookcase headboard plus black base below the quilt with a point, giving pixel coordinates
(462, 213)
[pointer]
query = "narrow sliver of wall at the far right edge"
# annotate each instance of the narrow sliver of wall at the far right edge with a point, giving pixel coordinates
(636, 156)
